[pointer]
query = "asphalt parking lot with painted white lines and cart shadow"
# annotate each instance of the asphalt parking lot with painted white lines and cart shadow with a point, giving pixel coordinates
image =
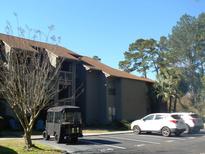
(140, 144)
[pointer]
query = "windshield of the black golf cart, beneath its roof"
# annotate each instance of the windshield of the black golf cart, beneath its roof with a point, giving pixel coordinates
(73, 117)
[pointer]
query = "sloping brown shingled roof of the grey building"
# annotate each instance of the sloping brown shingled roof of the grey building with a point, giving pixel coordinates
(26, 44)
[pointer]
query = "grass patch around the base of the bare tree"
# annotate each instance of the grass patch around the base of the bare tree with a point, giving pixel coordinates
(14, 146)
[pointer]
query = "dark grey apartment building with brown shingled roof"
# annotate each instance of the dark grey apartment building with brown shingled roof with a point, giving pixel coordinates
(103, 93)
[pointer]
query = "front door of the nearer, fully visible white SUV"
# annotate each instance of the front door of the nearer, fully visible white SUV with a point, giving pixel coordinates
(147, 123)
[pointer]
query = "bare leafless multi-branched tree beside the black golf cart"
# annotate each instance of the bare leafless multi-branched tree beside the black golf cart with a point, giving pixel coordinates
(28, 83)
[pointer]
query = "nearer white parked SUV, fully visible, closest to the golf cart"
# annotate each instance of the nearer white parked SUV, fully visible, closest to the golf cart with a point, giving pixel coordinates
(165, 123)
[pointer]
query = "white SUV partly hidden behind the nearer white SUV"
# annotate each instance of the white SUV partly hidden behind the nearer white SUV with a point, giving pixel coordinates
(193, 122)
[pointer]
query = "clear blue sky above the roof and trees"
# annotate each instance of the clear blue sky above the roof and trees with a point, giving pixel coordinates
(102, 28)
